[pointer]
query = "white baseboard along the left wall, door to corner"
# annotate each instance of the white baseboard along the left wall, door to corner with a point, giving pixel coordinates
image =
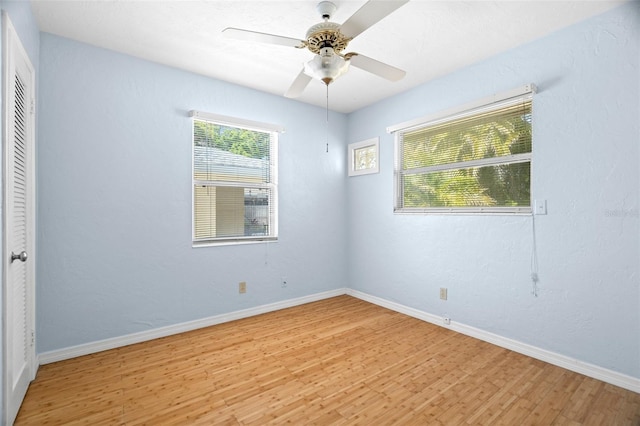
(143, 336)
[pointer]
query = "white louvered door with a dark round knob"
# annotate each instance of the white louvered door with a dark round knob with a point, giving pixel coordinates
(18, 231)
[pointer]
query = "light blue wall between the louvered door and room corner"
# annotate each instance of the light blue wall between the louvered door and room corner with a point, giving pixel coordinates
(114, 234)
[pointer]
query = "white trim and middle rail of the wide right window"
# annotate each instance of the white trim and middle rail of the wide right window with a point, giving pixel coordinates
(490, 103)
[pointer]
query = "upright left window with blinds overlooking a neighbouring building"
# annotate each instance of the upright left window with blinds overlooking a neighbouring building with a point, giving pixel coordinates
(235, 191)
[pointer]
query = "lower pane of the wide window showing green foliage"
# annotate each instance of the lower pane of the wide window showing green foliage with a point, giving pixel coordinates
(505, 185)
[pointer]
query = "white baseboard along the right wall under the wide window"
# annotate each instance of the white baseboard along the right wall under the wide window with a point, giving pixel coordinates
(590, 370)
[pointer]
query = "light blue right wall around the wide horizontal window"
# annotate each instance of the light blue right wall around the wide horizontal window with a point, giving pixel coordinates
(586, 165)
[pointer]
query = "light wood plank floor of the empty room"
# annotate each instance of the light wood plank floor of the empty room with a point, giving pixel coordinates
(338, 361)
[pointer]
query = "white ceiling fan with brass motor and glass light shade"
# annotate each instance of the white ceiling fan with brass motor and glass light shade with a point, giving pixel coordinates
(327, 40)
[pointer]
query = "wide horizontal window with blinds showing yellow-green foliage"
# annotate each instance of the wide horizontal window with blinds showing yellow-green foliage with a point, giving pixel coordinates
(473, 160)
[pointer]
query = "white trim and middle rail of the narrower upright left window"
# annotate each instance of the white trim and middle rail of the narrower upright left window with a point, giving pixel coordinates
(274, 130)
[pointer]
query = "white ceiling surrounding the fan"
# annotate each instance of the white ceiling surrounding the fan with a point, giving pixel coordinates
(426, 38)
